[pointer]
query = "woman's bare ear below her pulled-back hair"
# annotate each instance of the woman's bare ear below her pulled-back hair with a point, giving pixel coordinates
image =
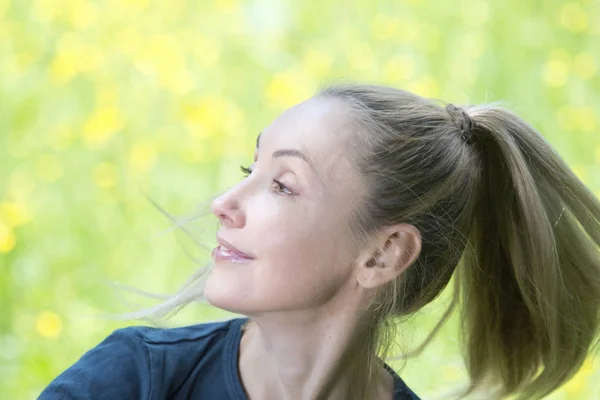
(393, 251)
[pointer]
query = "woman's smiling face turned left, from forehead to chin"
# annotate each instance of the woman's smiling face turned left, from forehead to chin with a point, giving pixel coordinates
(292, 214)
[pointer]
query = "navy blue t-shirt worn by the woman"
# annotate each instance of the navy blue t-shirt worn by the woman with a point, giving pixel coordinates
(192, 362)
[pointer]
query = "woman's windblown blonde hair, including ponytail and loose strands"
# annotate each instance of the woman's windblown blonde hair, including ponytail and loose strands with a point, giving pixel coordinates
(498, 209)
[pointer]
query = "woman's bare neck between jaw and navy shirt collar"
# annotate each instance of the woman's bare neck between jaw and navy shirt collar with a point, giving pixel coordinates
(304, 353)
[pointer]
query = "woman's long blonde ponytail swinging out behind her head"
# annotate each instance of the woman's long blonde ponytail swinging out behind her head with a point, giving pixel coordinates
(530, 280)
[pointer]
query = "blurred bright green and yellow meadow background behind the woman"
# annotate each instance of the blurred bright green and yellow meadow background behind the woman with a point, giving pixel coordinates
(104, 102)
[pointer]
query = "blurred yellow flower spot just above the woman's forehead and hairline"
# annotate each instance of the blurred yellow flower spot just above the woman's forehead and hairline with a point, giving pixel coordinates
(288, 88)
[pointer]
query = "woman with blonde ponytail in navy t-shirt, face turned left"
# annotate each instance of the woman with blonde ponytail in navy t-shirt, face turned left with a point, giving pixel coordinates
(359, 207)
